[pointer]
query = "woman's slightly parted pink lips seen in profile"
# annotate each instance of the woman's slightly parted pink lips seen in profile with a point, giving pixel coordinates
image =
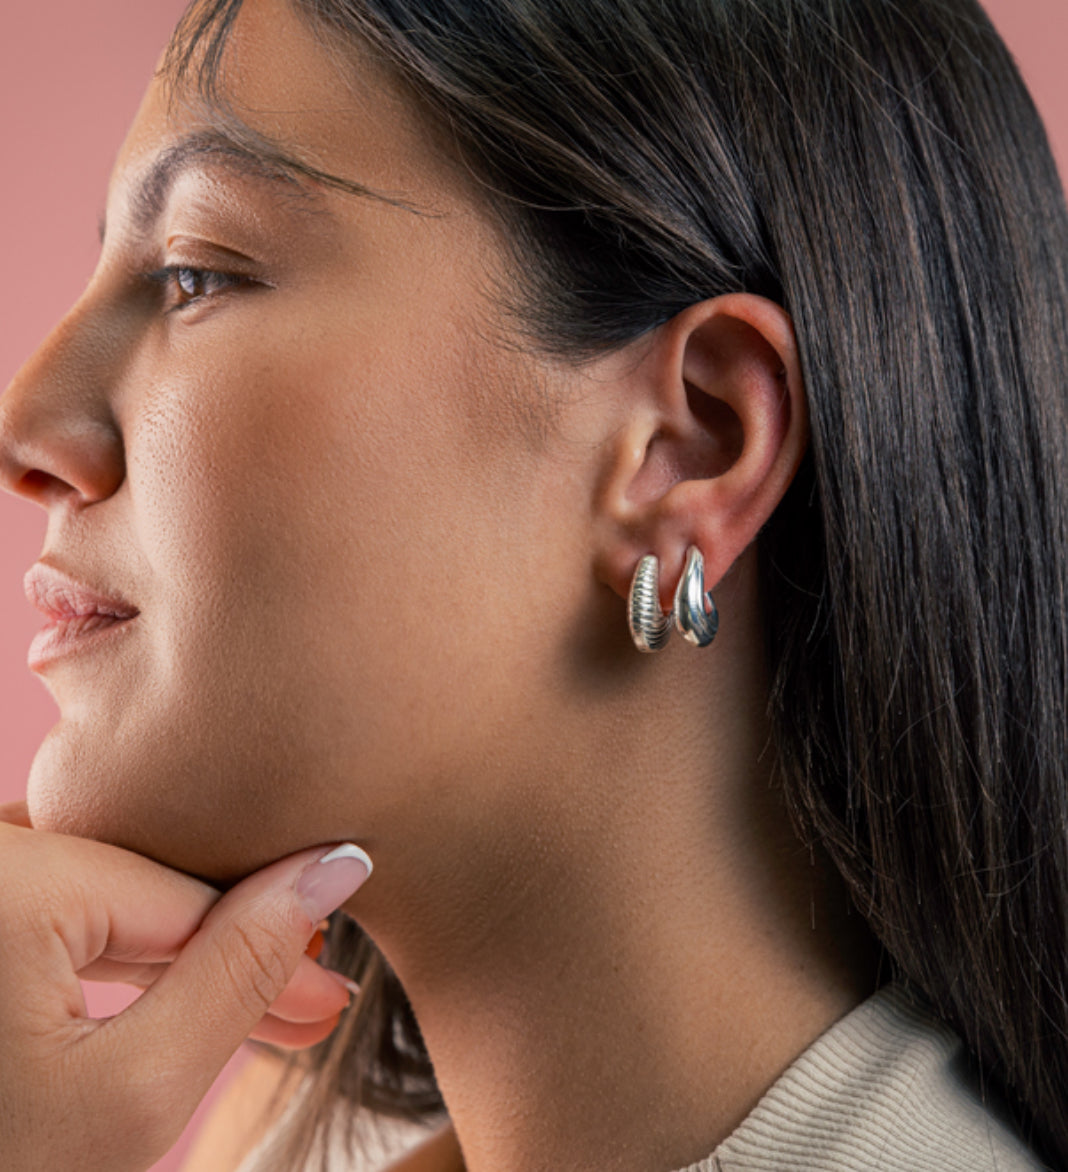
(79, 617)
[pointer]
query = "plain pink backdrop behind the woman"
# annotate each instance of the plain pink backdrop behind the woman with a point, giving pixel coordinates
(71, 77)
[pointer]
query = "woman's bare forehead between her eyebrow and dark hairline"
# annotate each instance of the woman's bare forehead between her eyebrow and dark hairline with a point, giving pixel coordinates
(285, 85)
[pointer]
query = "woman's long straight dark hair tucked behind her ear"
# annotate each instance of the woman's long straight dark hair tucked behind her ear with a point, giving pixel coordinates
(879, 169)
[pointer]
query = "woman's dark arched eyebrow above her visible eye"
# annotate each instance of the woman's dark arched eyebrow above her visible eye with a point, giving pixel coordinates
(250, 154)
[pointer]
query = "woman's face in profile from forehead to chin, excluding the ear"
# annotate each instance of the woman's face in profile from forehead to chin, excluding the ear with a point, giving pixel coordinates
(325, 485)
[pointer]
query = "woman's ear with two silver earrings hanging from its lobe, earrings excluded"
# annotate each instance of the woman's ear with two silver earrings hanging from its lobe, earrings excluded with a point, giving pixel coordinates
(717, 427)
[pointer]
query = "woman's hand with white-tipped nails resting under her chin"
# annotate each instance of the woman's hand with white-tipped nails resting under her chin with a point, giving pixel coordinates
(114, 1095)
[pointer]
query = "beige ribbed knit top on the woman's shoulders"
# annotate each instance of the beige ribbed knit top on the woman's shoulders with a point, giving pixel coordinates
(887, 1089)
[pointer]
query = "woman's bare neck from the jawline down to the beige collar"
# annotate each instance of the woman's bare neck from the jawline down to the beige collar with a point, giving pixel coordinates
(628, 980)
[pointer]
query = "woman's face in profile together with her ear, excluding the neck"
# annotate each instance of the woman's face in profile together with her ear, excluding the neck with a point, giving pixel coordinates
(378, 543)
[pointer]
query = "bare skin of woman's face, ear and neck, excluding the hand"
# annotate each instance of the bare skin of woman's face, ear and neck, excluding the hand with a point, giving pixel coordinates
(382, 555)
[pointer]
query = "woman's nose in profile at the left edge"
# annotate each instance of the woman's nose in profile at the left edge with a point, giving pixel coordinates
(59, 438)
